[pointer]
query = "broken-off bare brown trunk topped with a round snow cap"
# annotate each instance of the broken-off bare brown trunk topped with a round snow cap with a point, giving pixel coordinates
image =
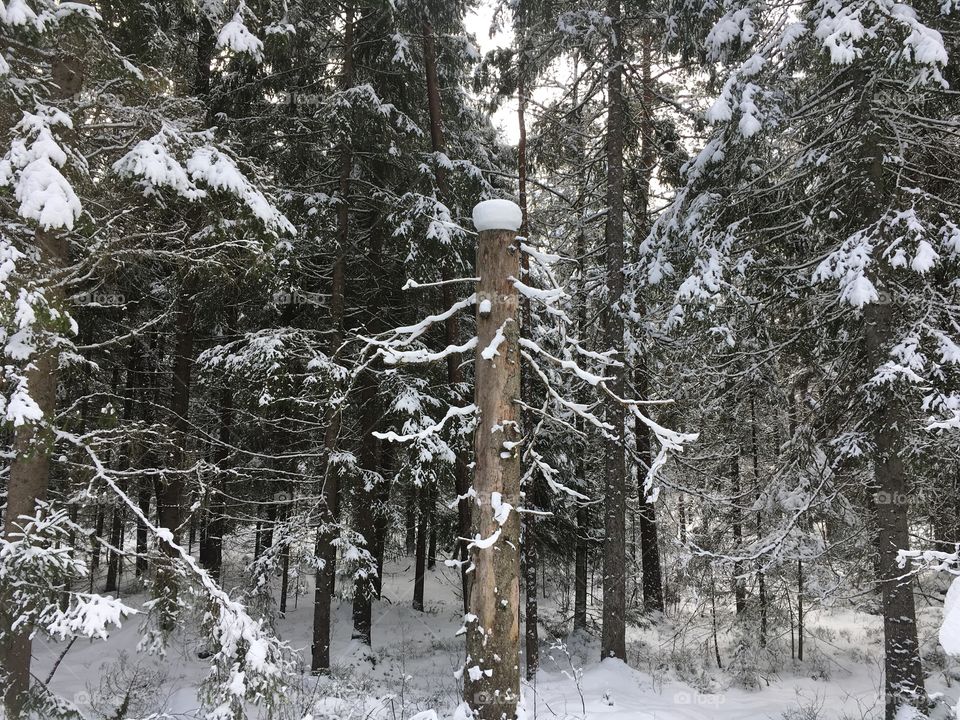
(491, 672)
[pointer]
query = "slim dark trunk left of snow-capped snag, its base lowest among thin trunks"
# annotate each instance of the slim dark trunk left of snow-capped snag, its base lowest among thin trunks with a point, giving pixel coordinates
(329, 510)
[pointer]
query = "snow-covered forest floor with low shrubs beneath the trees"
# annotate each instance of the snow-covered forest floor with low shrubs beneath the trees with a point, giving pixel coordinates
(671, 669)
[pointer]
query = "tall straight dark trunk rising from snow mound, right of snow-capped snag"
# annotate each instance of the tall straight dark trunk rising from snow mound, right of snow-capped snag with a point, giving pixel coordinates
(613, 635)
